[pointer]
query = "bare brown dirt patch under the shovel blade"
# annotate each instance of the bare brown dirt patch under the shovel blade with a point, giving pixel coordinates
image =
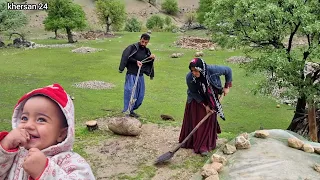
(126, 157)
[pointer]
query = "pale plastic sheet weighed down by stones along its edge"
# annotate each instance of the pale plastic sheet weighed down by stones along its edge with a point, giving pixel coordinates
(271, 159)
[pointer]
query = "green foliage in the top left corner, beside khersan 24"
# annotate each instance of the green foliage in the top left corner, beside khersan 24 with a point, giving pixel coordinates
(9, 19)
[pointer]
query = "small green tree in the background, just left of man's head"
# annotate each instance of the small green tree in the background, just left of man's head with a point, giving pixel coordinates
(111, 13)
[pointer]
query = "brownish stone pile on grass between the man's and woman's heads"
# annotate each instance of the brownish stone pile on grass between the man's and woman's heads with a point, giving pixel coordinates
(195, 43)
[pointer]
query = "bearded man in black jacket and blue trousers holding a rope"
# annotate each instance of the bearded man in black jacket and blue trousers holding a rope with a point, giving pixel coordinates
(132, 58)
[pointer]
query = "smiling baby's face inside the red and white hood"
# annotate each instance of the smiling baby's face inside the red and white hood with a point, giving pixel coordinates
(41, 118)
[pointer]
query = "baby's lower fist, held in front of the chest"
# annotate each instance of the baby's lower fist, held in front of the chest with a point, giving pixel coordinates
(35, 163)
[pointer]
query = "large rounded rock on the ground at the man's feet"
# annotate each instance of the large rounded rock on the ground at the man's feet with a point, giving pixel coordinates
(125, 126)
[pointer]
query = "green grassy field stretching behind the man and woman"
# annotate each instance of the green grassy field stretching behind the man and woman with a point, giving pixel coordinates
(23, 70)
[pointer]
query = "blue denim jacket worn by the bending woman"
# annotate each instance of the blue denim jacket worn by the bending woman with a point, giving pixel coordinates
(214, 73)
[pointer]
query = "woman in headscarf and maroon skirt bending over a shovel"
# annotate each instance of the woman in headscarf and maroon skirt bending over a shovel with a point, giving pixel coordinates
(204, 87)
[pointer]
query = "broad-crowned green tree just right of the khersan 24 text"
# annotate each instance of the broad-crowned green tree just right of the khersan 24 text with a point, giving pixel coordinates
(64, 14)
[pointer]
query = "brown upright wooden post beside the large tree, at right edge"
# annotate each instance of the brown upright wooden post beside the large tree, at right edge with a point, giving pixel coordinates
(313, 130)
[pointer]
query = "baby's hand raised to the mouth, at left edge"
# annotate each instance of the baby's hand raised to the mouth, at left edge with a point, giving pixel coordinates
(17, 137)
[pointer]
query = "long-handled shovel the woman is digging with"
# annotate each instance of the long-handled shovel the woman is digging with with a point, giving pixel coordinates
(170, 154)
